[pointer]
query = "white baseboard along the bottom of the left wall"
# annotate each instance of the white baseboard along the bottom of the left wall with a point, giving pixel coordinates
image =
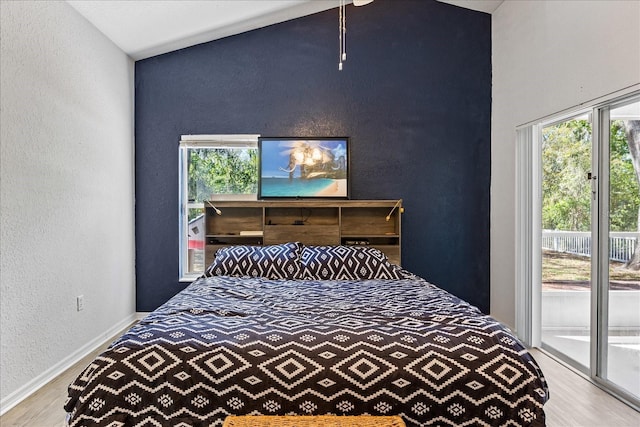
(35, 384)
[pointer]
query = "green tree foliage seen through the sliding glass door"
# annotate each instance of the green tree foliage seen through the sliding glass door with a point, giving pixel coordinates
(566, 191)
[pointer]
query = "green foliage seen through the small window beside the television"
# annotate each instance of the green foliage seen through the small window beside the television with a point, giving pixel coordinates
(215, 171)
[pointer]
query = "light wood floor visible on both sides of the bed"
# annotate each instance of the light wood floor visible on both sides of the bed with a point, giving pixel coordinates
(575, 402)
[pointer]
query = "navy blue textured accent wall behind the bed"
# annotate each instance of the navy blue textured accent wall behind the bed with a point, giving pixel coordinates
(414, 96)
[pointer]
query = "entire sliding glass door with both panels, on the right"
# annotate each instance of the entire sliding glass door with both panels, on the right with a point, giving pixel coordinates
(589, 251)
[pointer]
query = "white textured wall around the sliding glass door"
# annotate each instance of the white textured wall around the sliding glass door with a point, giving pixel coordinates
(548, 56)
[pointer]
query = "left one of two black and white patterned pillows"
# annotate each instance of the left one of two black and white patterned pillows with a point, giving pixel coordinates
(272, 261)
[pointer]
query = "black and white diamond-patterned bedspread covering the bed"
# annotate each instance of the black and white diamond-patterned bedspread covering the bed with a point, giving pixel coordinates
(274, 347)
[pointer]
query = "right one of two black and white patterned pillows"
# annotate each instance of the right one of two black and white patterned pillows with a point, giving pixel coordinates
(347, 263)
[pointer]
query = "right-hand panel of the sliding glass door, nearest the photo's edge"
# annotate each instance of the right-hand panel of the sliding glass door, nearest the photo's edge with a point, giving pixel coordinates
(619, 316)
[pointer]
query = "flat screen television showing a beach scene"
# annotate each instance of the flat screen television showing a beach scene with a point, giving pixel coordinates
(311, 167)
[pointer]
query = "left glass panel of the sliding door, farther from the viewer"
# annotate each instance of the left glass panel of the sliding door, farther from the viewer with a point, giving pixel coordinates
(566, 239)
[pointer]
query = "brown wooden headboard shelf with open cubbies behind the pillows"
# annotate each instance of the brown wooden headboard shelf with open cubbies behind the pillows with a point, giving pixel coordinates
(312, 222)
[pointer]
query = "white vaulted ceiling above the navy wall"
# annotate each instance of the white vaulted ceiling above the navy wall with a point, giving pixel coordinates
(145, 28)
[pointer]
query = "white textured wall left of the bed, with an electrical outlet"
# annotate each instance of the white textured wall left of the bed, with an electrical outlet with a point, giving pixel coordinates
(66, 191)
